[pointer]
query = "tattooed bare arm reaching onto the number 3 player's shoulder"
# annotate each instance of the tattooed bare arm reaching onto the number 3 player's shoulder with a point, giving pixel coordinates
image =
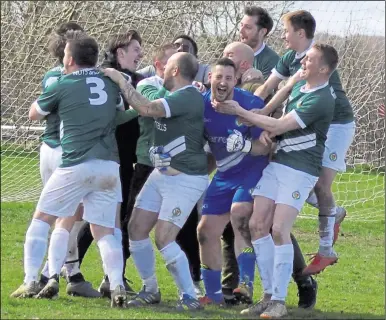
(144, 107)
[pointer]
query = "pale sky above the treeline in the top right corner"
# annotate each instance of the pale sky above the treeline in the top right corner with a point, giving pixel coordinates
(367, 17)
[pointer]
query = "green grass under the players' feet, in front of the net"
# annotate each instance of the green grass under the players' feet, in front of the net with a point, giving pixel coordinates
(352, 289)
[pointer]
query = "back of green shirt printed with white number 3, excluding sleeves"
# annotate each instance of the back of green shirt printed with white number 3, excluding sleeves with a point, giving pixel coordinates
(87, 103)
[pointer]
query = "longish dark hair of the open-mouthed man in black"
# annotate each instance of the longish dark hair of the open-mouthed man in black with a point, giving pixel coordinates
(120, 40)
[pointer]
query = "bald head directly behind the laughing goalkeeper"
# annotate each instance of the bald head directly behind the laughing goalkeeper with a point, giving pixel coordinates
(241, 54)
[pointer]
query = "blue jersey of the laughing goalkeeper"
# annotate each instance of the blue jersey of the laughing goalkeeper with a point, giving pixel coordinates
(218, 126)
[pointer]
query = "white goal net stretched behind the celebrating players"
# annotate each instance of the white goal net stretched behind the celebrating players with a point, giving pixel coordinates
(355, 28)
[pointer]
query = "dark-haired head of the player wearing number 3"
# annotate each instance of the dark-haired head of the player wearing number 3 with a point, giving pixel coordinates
(84, 49)
